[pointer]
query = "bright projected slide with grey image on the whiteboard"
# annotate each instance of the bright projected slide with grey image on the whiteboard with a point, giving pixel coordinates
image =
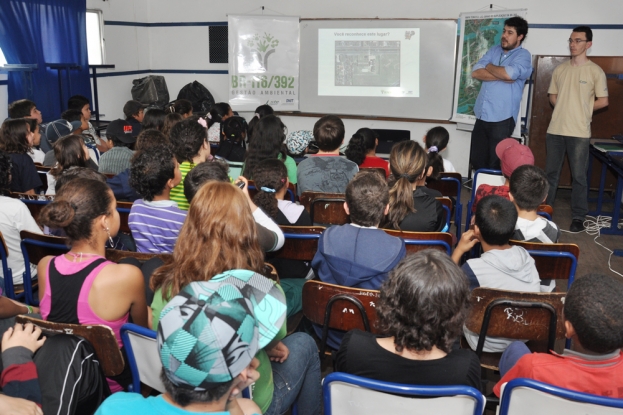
(369, 62)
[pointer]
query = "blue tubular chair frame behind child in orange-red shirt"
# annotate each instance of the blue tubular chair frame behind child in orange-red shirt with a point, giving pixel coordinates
(556, 391)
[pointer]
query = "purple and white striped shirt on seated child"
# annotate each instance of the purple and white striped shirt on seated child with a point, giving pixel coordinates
(155, 225)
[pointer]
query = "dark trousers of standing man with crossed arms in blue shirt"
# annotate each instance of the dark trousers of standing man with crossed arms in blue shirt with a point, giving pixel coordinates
(485, 136)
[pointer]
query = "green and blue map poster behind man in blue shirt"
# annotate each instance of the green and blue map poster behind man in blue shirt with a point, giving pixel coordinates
(480, 31)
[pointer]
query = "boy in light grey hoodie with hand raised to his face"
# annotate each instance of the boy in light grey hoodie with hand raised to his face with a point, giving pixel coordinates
(501, 266)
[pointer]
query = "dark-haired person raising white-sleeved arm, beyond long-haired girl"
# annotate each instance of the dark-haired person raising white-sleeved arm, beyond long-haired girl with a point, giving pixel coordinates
(268, 232)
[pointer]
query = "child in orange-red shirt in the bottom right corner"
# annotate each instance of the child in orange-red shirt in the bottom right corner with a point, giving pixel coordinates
(593, 315)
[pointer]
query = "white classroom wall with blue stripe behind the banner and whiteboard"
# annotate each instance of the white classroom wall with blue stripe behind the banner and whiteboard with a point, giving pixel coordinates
(133, 48)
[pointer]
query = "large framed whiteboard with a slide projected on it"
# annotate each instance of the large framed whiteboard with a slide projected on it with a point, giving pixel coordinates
(436, 60)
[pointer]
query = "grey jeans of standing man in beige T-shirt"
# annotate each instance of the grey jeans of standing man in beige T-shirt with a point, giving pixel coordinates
(577, 150)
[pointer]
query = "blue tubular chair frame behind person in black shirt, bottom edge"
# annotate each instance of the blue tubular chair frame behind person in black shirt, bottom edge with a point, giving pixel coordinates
(399, 389)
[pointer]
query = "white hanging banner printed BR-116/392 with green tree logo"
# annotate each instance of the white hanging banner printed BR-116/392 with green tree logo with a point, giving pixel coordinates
(263, 62)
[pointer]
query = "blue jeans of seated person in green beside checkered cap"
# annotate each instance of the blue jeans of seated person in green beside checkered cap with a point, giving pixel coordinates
(298, 378)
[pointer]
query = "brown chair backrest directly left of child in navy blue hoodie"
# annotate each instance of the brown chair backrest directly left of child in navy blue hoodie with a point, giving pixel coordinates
(301, 242)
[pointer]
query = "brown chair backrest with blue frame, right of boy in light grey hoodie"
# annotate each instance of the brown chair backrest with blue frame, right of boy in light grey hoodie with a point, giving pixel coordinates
(553, 261)
